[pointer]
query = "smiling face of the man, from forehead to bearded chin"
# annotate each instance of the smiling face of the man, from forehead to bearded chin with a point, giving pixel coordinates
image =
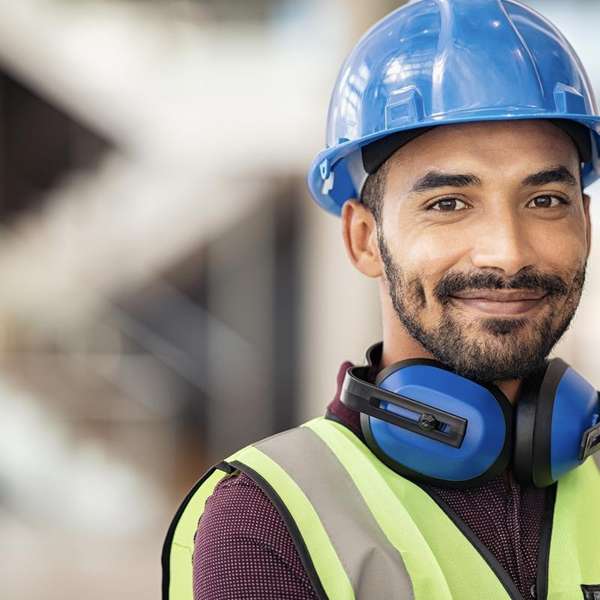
(484, 237)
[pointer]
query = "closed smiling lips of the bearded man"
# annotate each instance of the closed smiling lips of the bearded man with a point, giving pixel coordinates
(500, 302)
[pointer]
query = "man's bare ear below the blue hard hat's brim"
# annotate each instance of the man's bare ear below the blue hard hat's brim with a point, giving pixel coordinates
(359, 230)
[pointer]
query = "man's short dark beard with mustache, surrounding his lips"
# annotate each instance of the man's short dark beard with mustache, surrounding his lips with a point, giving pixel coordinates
(512, 353)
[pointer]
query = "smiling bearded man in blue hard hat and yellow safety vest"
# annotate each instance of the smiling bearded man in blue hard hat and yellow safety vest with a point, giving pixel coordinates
(456, 464)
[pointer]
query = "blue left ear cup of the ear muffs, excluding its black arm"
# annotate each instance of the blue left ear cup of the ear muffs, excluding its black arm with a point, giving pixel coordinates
(487, 410)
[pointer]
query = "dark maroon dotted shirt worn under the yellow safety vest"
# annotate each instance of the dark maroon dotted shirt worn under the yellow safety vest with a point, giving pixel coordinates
(243, 550)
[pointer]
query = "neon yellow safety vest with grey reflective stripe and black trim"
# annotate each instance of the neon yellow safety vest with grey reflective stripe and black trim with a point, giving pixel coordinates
(364, 532)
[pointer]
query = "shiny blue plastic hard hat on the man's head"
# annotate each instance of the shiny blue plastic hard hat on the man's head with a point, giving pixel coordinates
(436, 62)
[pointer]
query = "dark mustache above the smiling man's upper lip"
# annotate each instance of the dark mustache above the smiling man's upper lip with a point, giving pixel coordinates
(526, 279)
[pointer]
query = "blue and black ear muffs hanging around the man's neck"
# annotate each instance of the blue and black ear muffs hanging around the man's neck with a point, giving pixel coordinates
(430, 424)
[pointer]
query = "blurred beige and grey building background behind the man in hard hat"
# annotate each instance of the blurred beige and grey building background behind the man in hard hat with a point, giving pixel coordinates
(168, 290)
